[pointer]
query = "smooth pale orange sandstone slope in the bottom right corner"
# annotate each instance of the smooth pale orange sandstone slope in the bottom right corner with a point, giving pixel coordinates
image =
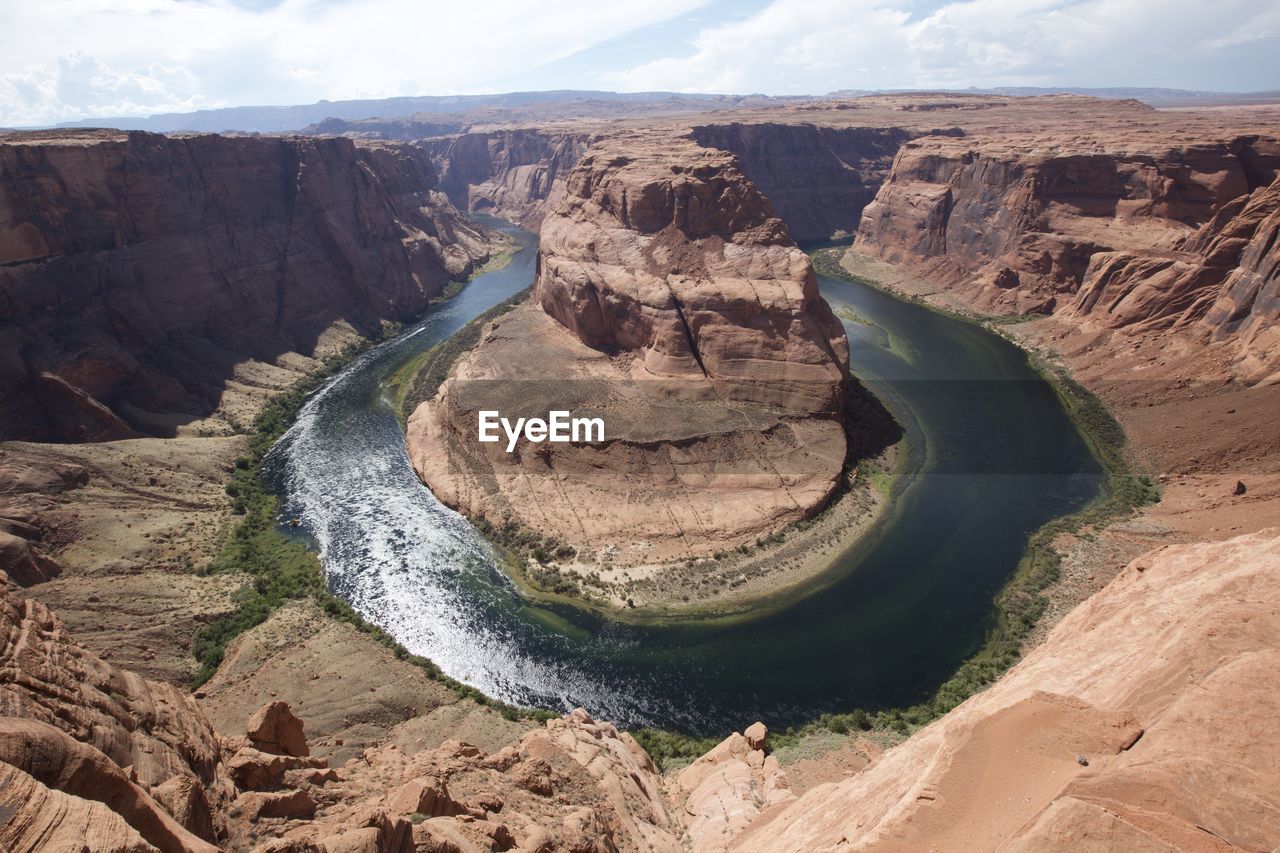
(1139, 726)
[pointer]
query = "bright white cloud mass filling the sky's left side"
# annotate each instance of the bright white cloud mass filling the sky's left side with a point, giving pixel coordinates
(65, 60)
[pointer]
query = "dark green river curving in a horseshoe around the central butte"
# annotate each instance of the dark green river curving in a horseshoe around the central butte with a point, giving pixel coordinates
(994, 457)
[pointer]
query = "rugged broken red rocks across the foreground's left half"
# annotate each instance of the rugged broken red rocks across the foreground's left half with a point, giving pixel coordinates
(93, 756)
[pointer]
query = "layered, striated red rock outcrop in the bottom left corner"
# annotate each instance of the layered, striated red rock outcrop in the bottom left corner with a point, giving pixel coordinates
(97, 750)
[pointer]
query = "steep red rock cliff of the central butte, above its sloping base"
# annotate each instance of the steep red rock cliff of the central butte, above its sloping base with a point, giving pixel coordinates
(675, 257)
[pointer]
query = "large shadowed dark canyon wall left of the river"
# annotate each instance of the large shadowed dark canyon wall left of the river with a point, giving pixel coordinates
(136, 271)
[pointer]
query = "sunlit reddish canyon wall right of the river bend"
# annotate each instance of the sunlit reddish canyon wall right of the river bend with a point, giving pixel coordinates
(1123, 235)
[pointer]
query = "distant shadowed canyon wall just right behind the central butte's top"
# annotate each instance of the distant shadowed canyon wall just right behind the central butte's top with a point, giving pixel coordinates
(819, 179)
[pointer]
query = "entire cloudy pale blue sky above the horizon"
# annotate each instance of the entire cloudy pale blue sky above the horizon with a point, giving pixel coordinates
(71, 60)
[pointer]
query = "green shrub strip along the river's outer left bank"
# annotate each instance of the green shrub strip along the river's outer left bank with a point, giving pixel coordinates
(285, 569)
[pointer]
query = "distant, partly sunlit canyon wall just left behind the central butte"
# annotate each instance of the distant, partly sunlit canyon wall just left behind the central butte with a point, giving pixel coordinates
(515, 175)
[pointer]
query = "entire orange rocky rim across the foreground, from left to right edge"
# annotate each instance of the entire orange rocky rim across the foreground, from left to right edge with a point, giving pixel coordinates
(1137, 726)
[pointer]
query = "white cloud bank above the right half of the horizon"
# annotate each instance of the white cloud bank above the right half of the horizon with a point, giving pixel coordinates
(822, 45)
